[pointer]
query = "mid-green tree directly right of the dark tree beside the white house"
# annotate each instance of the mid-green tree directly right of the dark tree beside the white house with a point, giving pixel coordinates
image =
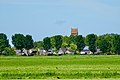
(102, 44)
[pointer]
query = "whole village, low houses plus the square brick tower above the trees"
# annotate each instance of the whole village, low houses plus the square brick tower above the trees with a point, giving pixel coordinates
(52, 51)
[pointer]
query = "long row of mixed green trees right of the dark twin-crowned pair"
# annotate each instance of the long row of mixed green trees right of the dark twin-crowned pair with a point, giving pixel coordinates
(107, 43)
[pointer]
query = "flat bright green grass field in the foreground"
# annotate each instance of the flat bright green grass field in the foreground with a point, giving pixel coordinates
(60, 67)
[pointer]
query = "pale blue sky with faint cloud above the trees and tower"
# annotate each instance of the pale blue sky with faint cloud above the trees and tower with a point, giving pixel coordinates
(45, 18)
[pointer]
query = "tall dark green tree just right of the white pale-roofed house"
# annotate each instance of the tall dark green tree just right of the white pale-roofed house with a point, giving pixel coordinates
(90, 41)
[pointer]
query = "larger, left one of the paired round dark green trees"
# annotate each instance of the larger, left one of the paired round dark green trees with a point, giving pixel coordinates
(18, 40)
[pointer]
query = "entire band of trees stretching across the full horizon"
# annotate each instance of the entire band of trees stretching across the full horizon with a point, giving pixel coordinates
(107, 43)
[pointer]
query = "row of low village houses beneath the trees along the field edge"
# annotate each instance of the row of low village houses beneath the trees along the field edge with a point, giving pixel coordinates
(51, 52)
